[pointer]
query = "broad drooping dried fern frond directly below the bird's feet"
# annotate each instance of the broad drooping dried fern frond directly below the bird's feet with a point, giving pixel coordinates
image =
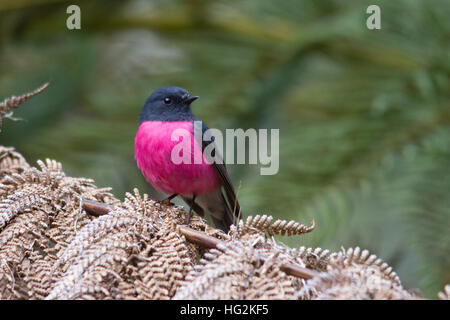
(130, 253)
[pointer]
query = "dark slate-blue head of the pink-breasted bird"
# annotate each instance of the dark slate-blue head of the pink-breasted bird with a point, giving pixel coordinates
(168, 104)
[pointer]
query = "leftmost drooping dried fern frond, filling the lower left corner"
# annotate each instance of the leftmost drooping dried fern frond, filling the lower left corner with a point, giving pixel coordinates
(40, 212)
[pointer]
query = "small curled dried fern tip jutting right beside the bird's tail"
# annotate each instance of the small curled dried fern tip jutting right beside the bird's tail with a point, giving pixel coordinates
(279, 227)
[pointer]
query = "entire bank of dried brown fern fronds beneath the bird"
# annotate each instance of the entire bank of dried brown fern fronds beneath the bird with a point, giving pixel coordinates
(53, 247)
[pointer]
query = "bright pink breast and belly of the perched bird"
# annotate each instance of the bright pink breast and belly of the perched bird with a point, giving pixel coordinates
(153, 149)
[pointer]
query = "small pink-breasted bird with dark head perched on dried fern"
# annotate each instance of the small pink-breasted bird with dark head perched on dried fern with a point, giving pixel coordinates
(198, 184)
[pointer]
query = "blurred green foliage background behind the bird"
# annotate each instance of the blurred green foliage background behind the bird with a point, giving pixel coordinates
(363, 115)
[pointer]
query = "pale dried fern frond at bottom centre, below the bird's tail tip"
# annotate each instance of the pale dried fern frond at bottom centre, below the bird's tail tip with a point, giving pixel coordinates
(247, 268)
